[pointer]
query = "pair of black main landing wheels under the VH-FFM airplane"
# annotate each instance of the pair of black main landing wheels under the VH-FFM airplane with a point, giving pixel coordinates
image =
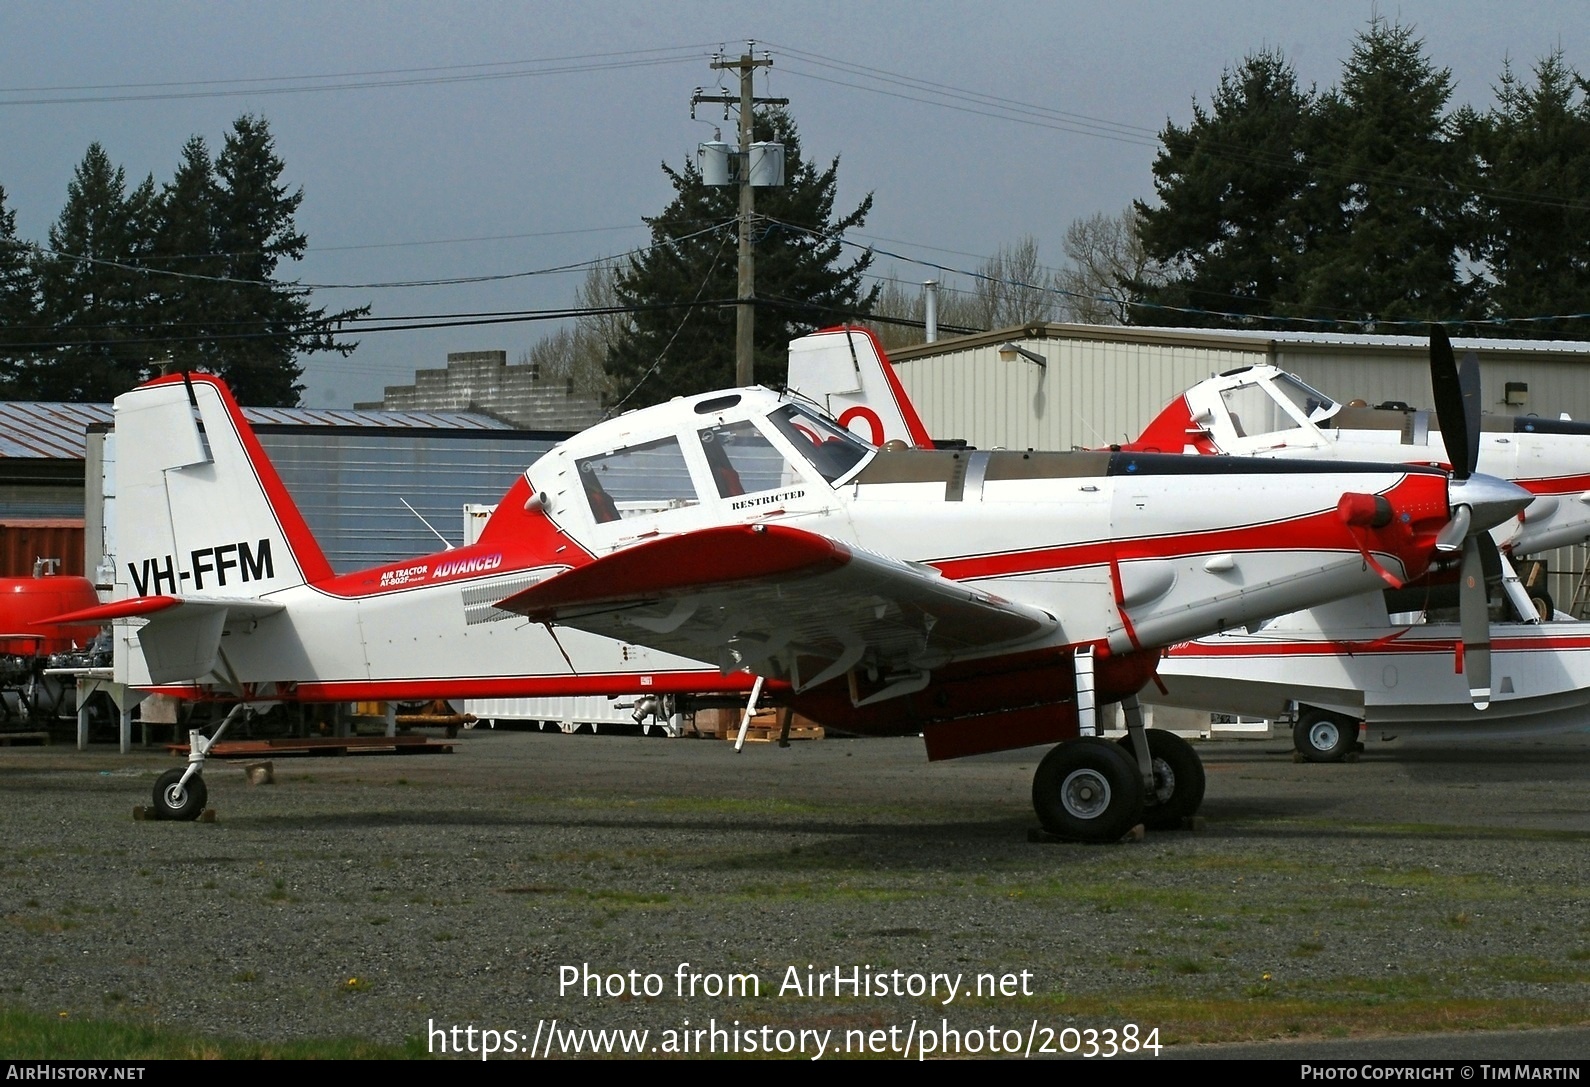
(1092, 791)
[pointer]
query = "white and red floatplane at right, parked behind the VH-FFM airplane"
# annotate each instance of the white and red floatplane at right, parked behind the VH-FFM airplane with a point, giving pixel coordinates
(1348, 663)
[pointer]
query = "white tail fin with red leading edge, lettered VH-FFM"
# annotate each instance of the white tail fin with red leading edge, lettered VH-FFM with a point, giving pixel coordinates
(201, 513)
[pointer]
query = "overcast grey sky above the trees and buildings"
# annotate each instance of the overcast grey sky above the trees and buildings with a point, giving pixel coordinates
(489, 139)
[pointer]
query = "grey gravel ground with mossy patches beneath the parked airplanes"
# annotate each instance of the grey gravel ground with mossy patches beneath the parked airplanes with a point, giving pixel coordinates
(382, 897)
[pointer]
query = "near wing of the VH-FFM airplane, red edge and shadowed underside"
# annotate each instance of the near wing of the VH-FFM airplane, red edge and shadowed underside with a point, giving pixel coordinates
(783, 603)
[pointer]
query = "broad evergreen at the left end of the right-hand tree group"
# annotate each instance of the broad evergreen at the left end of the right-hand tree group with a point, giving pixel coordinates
(1236, 201)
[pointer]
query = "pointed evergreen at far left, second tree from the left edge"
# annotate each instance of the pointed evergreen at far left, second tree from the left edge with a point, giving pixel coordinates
(93, 304)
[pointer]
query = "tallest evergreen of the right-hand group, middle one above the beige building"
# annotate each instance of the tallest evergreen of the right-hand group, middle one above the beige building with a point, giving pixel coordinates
(1398, 184)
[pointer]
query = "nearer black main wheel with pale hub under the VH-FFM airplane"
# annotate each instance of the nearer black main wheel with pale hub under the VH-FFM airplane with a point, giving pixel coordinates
(1088, 791)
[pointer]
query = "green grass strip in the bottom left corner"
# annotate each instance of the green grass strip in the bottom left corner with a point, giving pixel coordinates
(42, 1037)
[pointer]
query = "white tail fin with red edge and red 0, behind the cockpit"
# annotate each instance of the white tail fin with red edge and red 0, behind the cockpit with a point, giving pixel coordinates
(847, 371)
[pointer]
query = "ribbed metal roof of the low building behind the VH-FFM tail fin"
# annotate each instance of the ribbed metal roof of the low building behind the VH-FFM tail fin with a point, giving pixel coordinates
(56, 431)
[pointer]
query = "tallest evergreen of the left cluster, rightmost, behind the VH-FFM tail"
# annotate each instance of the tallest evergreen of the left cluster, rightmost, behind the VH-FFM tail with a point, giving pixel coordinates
(263, 325)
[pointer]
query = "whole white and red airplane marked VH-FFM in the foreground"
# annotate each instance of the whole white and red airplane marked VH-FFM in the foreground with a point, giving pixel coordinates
(983, 600)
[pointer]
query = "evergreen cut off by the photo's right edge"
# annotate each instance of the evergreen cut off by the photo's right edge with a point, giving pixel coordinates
(1535, 239)
